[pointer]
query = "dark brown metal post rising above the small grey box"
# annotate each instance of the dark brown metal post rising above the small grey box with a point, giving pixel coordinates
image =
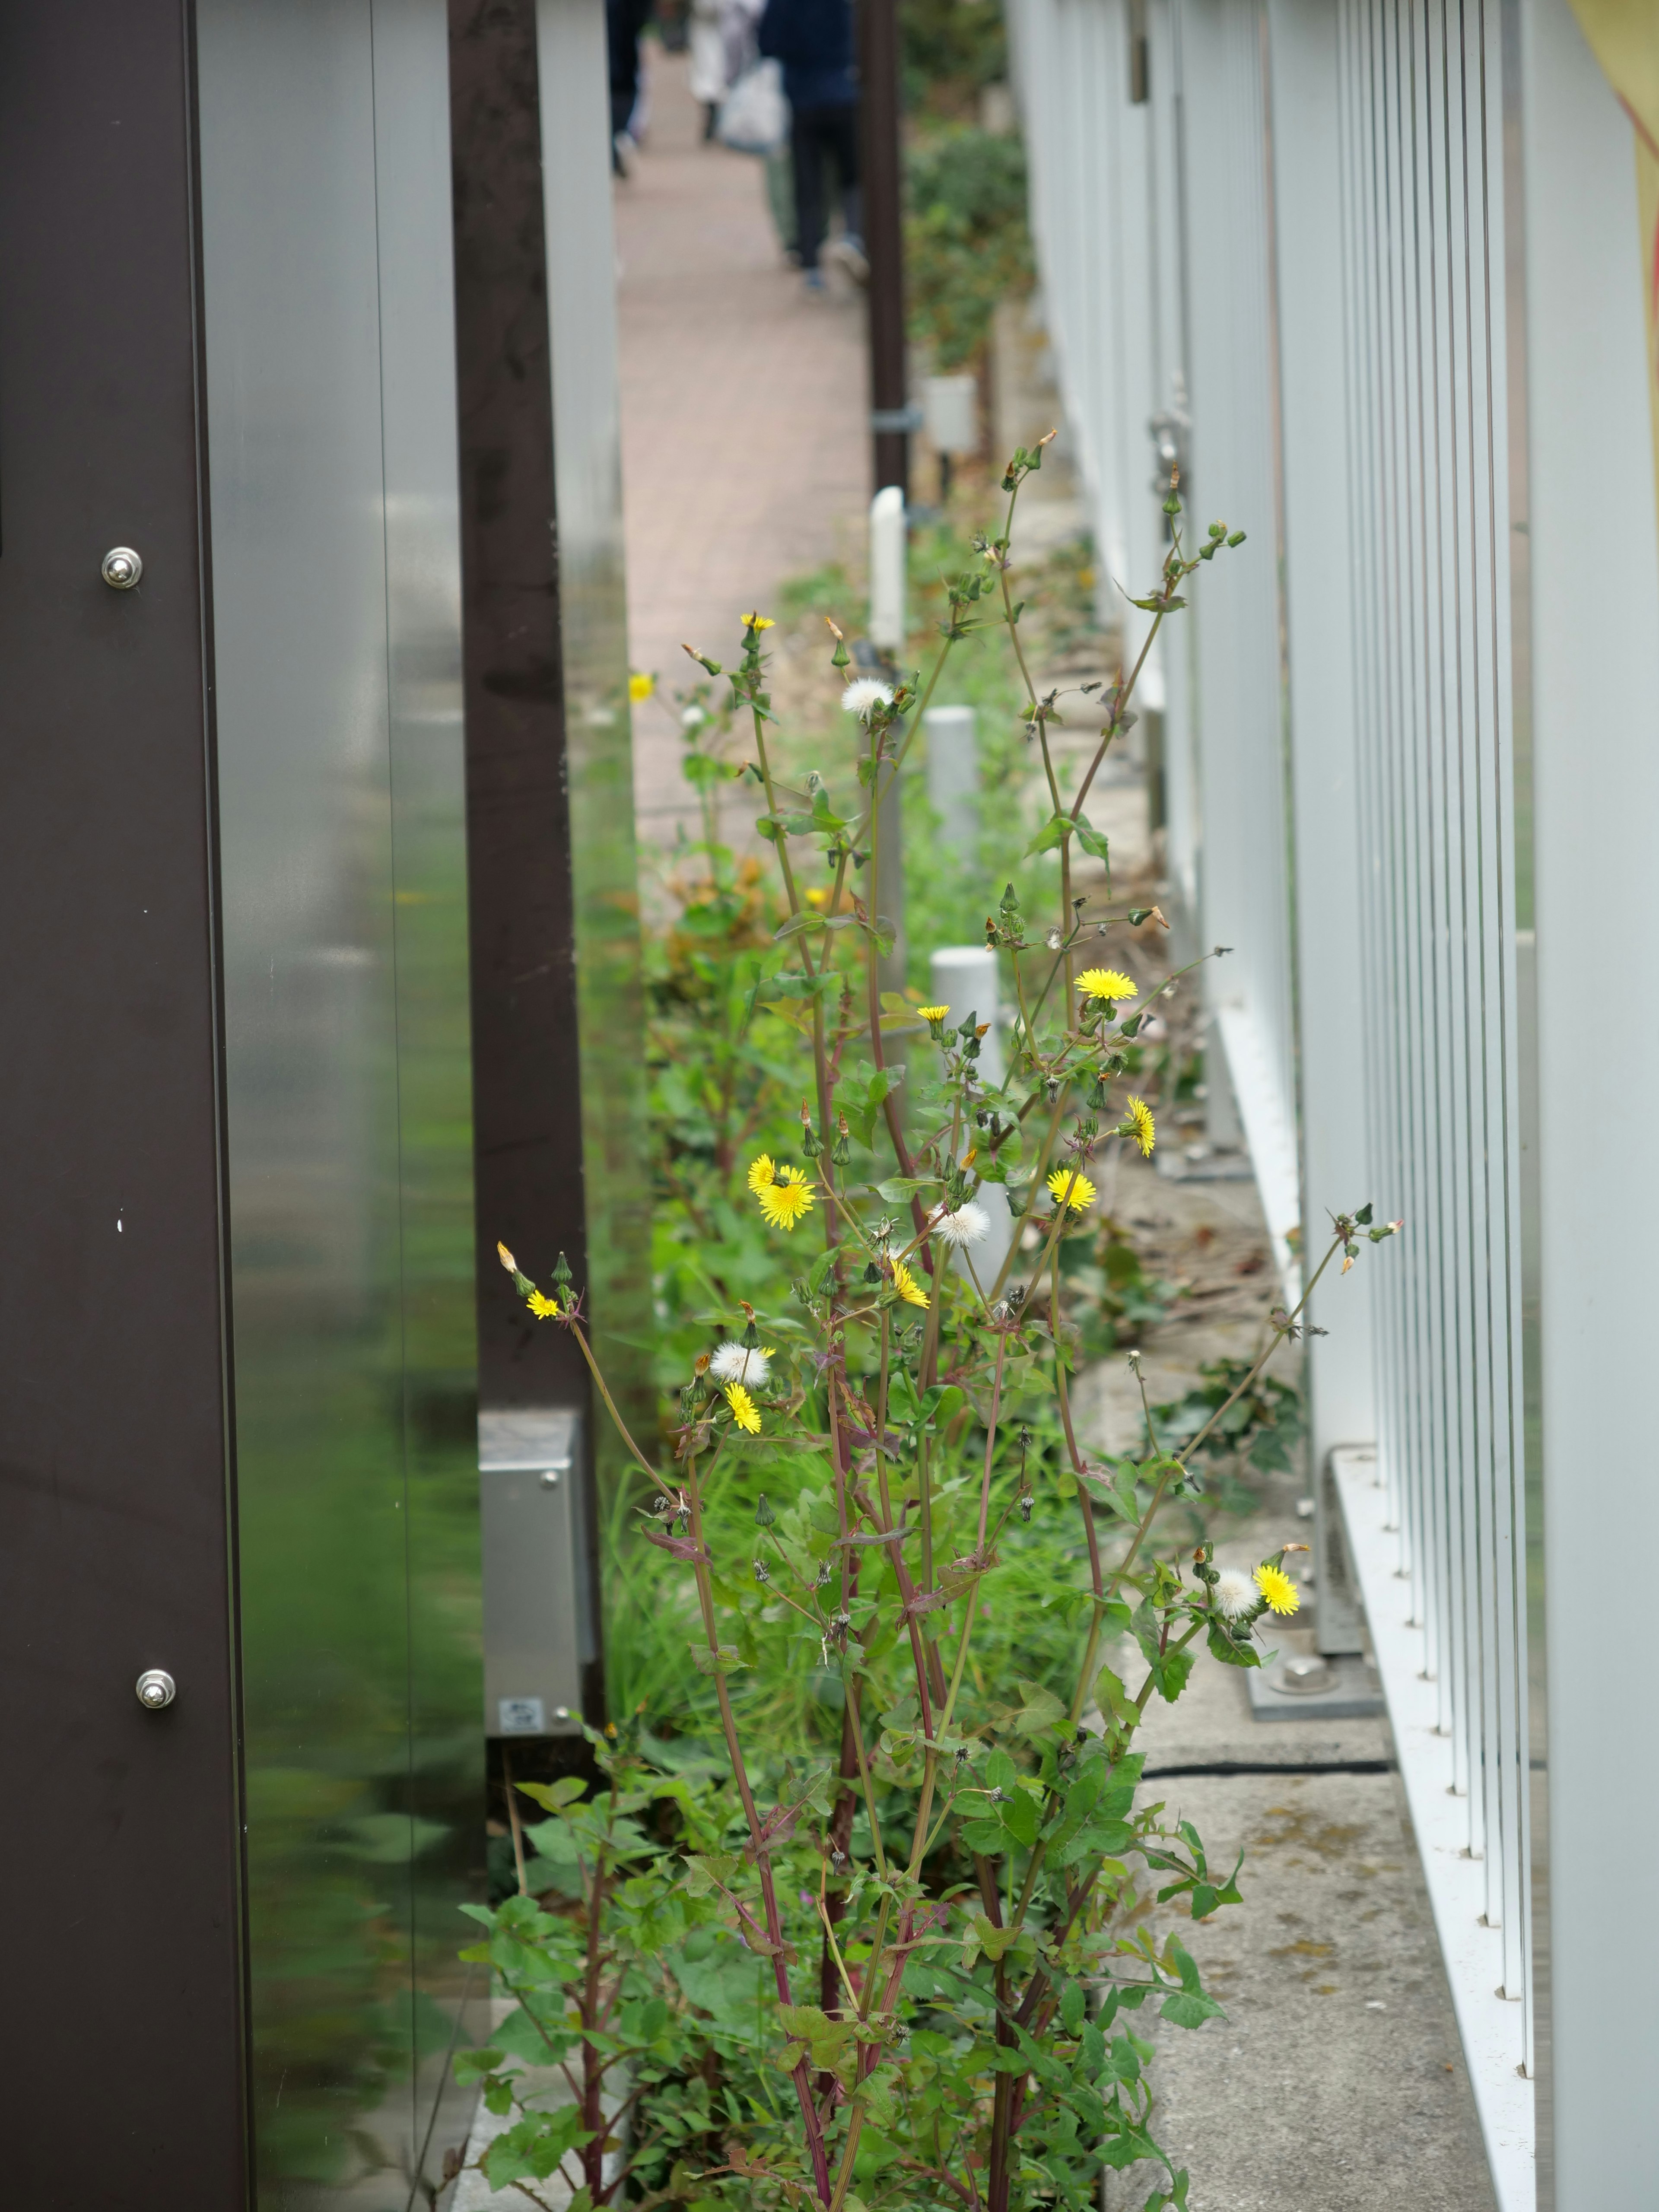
(528, 1096)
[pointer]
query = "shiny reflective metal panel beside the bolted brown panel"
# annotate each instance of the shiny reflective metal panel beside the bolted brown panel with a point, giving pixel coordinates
(337, 607)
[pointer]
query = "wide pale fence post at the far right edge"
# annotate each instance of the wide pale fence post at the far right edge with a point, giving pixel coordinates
(1594, 696)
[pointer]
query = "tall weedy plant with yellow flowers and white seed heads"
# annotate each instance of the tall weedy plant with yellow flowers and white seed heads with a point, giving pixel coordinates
(919, 1976)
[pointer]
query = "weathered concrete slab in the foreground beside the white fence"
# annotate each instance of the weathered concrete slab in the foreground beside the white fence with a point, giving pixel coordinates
(1337, 2080)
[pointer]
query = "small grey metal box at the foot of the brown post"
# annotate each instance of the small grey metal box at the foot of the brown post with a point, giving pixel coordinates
(536, 1589)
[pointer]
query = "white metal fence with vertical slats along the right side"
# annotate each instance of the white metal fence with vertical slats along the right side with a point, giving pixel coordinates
(1373, 271)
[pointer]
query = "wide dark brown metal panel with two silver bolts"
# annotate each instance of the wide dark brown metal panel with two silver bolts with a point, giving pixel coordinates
(118, 1828)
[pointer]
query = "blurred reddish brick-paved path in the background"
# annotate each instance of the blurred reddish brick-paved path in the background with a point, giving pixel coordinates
(744, 446)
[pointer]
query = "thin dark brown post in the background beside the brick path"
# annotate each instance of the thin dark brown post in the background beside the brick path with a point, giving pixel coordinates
(884, 240)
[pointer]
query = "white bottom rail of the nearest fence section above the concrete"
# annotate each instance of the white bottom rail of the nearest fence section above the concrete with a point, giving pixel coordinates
(1474, 1954)
